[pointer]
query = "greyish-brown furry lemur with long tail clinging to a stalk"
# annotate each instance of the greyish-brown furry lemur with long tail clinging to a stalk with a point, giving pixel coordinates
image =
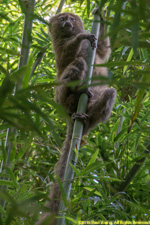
(70, 43)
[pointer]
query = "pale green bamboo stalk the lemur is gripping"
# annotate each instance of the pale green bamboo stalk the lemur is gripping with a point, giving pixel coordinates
(78, 125)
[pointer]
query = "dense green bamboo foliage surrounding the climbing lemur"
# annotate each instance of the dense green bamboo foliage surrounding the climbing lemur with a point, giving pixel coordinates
(112, 179)
